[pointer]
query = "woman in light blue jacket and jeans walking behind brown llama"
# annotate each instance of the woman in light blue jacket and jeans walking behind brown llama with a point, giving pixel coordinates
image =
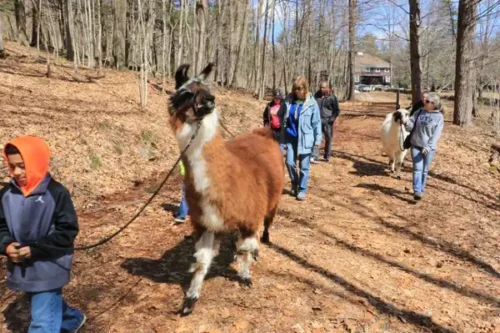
(301, 133)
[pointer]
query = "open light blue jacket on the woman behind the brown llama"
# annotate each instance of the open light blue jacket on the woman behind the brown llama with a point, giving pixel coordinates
(309, 127)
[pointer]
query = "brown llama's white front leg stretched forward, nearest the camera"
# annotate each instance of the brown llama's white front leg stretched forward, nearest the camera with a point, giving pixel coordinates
(205, 252)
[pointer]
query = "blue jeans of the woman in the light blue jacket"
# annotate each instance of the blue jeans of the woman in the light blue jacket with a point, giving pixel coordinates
(305, 164)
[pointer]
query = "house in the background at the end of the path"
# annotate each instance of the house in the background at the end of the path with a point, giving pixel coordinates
(371, 70)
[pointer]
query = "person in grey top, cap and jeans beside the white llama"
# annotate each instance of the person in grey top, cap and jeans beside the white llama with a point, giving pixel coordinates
(427, 125)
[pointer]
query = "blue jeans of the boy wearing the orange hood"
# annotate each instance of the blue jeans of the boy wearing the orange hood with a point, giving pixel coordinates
(50, 313)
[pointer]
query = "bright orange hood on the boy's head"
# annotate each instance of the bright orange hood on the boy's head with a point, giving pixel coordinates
(36, 158)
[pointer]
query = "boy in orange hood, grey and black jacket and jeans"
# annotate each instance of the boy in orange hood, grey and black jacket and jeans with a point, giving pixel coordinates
(38, 225)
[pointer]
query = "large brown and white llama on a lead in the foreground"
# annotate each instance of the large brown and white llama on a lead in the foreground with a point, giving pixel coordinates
(230, 185)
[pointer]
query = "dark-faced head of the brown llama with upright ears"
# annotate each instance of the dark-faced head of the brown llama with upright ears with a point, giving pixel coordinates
(192, 99)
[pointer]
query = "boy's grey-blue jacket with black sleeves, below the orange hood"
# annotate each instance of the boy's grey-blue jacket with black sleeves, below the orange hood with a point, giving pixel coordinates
(45, 217)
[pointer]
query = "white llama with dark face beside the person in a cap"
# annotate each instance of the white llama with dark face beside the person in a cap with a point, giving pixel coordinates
(393, 135)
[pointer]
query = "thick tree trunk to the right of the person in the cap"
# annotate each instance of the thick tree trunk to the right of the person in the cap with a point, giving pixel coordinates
(465, 78)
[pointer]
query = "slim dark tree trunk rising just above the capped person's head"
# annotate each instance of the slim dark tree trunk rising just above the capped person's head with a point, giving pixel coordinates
(416, 71)
